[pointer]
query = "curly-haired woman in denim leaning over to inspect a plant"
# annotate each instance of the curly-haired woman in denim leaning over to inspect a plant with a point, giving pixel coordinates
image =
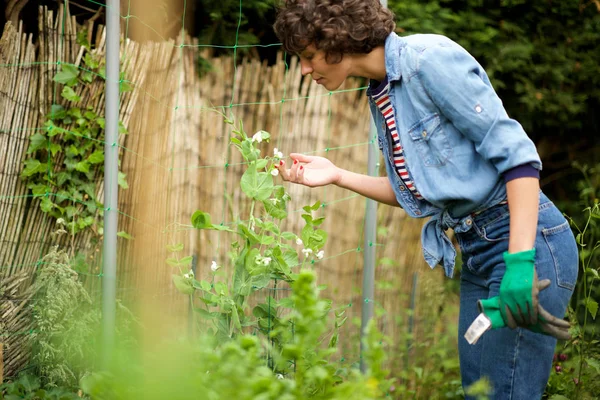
(451, 152)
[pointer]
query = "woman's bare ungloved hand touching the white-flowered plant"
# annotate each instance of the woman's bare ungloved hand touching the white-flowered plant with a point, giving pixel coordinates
(310, 171)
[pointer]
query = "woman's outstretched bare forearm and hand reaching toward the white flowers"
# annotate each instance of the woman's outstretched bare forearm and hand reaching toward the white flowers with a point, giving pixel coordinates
(314, 171)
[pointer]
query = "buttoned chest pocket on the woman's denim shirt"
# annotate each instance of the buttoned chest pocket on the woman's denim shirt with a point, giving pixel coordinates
(431, 141)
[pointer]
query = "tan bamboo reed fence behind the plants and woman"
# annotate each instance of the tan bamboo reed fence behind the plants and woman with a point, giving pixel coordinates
(177, 160)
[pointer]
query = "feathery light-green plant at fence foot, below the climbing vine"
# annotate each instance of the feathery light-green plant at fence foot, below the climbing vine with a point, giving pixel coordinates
(65, 323)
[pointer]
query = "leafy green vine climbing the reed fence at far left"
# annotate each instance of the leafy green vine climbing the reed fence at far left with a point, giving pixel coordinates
(66, 156)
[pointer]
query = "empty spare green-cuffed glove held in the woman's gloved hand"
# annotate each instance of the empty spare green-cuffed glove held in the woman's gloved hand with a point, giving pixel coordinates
(547, 323)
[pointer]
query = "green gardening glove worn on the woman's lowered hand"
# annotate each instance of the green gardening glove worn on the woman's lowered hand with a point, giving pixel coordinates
(519, 290)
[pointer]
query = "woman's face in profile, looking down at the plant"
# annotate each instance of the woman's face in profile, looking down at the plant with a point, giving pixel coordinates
(331, 76)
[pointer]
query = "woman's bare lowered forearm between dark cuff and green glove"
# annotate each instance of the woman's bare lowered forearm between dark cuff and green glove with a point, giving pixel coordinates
(523, 201)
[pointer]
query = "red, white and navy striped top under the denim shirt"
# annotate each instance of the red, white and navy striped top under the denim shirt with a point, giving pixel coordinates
(381, 97)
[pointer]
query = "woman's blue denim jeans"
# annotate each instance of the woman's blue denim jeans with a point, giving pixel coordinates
(516, 361)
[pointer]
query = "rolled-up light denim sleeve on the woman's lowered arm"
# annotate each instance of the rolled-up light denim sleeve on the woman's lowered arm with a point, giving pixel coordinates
(460, 88)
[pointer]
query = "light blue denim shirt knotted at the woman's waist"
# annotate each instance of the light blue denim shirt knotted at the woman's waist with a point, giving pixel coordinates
(457, 138)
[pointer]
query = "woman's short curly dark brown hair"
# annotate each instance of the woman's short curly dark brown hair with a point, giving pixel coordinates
(334, 26)
